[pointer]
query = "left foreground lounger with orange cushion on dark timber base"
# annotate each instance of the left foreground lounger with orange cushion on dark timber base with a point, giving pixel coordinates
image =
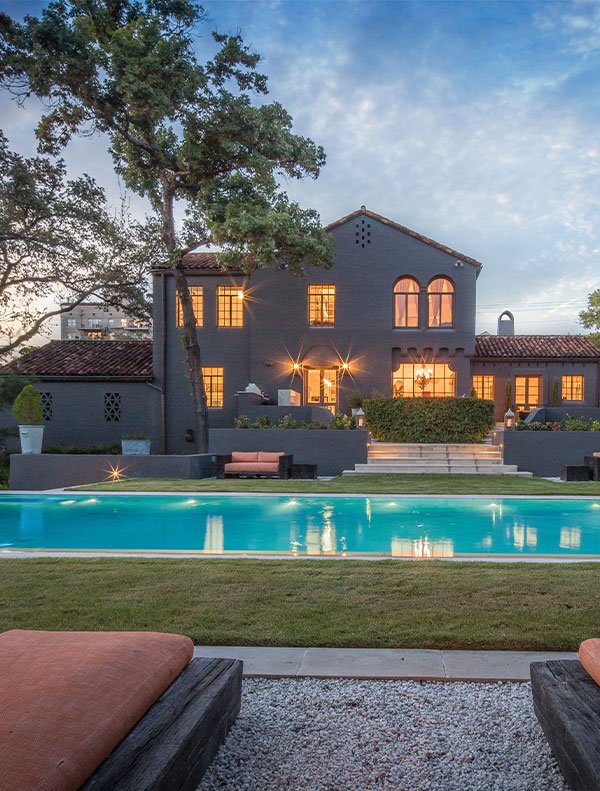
(117, 711)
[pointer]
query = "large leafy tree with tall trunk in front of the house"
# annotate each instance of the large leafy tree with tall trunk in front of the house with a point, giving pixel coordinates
(179, 129)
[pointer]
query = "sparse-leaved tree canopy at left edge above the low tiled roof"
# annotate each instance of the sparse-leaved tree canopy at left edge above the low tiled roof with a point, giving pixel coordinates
(59, 241)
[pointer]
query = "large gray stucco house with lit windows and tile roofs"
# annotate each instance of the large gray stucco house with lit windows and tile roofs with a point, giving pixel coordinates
(395, 315)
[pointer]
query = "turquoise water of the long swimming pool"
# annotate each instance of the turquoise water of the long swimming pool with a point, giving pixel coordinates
(315, 525)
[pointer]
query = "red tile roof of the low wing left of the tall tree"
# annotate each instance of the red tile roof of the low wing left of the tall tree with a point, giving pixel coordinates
(105, 359)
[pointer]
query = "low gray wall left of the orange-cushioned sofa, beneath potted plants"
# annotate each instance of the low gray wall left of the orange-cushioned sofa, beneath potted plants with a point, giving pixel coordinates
(53, 471)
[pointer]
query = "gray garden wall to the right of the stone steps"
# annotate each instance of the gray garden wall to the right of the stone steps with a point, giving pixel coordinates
(545, 452)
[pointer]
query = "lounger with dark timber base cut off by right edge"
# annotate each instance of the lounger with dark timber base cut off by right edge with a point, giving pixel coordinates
(566, 699)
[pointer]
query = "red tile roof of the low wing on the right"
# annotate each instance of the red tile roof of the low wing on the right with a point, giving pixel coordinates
(535, 347)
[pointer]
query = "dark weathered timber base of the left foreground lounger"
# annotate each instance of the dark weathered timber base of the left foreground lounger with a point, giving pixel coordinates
(173, 744)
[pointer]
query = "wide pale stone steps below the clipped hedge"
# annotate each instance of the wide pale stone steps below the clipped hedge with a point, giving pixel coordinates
(432, 459)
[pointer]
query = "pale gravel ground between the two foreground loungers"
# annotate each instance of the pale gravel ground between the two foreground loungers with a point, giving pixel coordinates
(401, 735)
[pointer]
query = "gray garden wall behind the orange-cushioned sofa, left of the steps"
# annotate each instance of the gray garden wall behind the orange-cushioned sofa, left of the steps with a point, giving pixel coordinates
(331, 450)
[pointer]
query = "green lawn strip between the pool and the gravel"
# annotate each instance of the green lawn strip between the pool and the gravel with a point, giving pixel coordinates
(425, 604)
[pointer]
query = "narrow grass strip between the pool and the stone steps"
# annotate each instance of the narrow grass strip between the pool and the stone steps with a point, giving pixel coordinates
(371, 484)
